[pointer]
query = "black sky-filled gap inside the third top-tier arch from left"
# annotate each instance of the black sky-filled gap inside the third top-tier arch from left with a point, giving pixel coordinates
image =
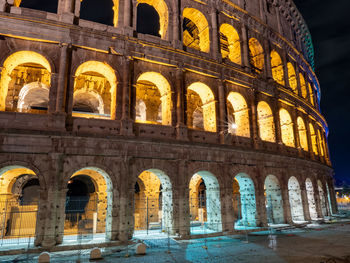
(147, 20)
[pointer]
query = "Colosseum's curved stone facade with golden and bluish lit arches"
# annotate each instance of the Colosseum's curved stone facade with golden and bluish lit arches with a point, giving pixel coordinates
(166, 117)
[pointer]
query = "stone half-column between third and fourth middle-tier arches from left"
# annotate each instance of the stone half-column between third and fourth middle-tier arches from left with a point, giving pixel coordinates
(181, 128)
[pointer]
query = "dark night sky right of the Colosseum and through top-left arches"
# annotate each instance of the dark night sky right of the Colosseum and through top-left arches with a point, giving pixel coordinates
(329, 23)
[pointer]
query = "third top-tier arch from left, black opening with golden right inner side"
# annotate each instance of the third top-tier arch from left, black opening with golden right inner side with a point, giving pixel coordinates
(152, 18)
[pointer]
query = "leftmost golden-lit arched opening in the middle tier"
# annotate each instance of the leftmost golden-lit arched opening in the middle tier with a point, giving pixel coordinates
(26, 70)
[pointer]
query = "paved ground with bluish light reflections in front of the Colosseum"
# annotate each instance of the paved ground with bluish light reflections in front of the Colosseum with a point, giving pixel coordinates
(324, 243)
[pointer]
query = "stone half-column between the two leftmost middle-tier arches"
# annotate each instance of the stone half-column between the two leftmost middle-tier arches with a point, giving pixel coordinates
(62, 78)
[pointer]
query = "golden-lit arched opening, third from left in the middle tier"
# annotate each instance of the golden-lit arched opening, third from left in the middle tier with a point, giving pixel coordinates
(153, 99)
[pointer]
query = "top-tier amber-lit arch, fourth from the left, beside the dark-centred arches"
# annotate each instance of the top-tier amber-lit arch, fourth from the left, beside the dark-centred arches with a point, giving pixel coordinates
(195, 30)
